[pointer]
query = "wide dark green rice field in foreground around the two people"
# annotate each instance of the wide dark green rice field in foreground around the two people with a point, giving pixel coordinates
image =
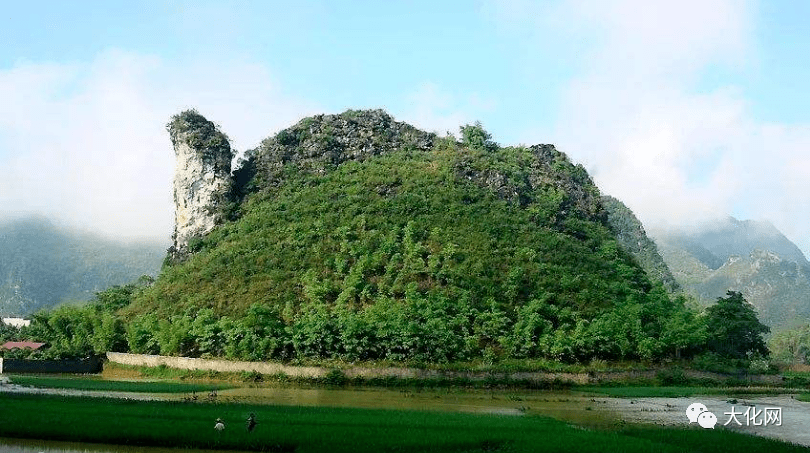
(307, 429)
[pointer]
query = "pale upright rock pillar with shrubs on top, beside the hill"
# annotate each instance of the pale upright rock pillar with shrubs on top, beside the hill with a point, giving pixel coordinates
(202, 179)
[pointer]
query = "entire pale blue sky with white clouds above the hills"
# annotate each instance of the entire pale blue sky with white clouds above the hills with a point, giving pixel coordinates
(686, 111)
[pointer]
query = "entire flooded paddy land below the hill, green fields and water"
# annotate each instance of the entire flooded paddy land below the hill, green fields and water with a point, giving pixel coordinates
(316, 418)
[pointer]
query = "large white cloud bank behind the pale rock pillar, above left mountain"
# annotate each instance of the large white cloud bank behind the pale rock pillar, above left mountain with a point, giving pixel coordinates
(86, 142)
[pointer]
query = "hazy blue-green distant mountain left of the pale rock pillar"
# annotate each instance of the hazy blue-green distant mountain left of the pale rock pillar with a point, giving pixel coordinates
(42, 265)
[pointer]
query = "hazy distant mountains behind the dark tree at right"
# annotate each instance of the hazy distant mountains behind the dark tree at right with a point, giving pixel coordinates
(752, 257)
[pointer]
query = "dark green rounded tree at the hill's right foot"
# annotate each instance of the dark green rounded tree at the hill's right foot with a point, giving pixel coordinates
(733, 328)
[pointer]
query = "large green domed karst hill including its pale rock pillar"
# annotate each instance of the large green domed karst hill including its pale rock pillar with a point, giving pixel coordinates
(361, 237)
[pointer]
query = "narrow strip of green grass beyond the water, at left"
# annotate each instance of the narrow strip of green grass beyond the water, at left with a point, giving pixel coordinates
(90, 383)
